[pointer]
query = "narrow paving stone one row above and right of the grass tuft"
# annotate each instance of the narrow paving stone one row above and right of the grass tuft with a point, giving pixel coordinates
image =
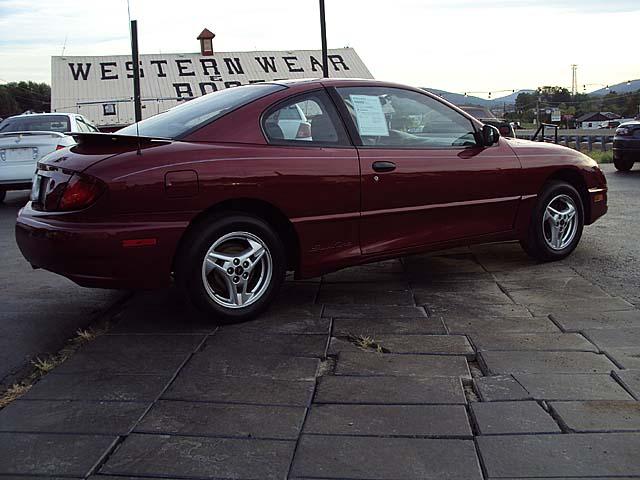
(471, 324)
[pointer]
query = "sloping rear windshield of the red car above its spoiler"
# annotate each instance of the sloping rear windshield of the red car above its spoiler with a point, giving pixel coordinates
(198, 112)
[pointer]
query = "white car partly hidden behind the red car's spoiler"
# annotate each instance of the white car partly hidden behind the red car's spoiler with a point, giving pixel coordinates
(25, 139)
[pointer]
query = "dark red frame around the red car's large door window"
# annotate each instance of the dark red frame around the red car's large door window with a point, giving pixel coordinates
(355, 134)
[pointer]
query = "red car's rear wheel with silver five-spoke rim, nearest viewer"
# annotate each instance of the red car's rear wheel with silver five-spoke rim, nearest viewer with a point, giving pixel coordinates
(223, 255)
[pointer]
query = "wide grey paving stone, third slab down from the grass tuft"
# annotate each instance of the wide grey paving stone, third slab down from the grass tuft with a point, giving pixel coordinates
(389, 390)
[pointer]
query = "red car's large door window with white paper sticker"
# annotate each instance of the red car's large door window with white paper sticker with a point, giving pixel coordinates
(394, 117)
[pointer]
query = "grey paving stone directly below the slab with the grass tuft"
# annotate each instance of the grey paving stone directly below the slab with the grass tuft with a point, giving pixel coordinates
(372, 364)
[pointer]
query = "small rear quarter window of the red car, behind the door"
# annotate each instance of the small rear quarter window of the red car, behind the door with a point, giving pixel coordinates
(305, 120)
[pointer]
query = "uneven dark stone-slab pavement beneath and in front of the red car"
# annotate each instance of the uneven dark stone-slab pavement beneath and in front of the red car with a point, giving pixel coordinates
(468, 364)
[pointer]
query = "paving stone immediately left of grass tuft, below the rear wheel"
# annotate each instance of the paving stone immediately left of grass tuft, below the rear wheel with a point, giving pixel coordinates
(236, 342)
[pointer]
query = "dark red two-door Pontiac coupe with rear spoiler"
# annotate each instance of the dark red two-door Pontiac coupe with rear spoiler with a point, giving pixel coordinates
(215, 195)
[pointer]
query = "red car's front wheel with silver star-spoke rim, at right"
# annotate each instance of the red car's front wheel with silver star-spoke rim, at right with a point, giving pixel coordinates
(554, 232)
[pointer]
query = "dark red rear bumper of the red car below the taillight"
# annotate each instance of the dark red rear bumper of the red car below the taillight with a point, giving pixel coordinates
(93, 254)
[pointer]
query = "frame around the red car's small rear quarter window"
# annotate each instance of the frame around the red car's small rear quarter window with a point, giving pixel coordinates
(344, 138)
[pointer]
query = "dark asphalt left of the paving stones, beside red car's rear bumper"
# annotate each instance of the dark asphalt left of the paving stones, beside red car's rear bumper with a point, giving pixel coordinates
(39, 311)
